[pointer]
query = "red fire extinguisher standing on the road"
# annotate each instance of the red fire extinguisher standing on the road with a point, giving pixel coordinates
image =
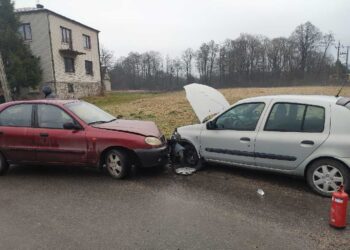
(338, 208)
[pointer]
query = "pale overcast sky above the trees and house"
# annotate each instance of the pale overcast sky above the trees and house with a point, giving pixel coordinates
(171, 26)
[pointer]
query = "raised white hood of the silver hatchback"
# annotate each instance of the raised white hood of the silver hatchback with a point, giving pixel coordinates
(205, 100)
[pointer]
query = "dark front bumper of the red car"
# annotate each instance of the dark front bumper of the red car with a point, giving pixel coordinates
(153, 157)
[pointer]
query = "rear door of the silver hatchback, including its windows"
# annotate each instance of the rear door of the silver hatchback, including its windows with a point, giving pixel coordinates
(291, 133)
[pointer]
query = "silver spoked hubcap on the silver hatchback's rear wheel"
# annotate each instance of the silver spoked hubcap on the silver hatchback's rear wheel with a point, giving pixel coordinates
(327, 178)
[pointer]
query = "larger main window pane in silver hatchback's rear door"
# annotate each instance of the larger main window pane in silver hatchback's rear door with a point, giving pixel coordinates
(286, 117)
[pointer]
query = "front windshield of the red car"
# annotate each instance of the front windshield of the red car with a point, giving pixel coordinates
(90, 113)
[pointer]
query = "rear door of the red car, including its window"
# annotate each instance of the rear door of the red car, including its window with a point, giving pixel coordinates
(16, 139)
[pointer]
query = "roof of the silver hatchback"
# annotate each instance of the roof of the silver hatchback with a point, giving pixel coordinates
(297, 98)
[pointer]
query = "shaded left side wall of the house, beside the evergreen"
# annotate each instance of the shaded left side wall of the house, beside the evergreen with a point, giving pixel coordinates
(40, 43)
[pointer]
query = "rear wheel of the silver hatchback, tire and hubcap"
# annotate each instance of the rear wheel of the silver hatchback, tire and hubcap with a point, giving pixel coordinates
(326, 175)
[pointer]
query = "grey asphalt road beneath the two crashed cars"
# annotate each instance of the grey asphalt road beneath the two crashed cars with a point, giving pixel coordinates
(216, 208)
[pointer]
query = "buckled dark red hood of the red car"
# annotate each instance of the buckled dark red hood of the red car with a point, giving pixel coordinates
(146, 128)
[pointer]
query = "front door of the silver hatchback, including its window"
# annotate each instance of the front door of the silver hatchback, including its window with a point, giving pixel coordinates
(230, 137)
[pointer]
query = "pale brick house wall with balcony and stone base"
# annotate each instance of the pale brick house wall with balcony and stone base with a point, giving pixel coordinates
(84, 84)
